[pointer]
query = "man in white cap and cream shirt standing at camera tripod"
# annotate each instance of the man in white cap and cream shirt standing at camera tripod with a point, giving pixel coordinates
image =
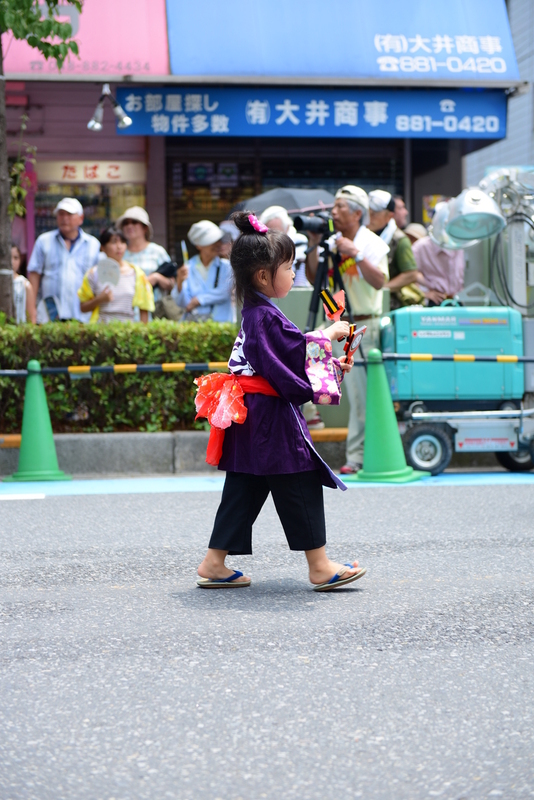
(362, 259)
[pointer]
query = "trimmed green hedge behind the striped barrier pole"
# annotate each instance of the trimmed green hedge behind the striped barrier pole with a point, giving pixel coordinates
(141, 402)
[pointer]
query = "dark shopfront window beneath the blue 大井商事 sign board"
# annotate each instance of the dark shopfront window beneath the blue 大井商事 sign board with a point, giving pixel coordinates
(204, 184)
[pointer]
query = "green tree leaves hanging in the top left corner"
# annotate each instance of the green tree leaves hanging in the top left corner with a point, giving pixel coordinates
(23, 18)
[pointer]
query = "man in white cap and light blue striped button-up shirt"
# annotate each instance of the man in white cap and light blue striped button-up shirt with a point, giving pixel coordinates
(58, 262)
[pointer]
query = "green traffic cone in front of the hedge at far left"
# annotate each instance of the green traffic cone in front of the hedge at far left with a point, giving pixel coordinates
(37, 457)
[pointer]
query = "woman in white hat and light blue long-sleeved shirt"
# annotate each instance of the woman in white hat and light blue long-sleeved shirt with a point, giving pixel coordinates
(204, 286)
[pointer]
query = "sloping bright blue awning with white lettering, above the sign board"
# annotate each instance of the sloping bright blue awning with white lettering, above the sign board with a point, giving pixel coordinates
(414, 43)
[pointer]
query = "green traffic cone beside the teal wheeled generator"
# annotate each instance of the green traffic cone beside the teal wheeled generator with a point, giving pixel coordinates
(383, 455)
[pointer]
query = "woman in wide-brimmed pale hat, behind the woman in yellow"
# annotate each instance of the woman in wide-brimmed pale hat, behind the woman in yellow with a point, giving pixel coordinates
(135, 225)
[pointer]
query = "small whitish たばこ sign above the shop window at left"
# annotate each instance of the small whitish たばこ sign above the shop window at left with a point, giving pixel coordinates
(91, 172)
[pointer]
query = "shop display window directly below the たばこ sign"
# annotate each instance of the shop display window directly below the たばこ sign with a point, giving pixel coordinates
(102, 203)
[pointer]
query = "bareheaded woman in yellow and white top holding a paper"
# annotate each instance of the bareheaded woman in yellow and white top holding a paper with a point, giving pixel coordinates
(115, 296)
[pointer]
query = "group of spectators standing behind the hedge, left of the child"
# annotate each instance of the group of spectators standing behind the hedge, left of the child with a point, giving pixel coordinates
(65, 279)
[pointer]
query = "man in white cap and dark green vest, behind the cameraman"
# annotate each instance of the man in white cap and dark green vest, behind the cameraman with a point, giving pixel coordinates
(402, 266)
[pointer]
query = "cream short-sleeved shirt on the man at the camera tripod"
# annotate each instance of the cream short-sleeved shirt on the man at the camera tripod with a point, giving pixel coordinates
(363, 298)
